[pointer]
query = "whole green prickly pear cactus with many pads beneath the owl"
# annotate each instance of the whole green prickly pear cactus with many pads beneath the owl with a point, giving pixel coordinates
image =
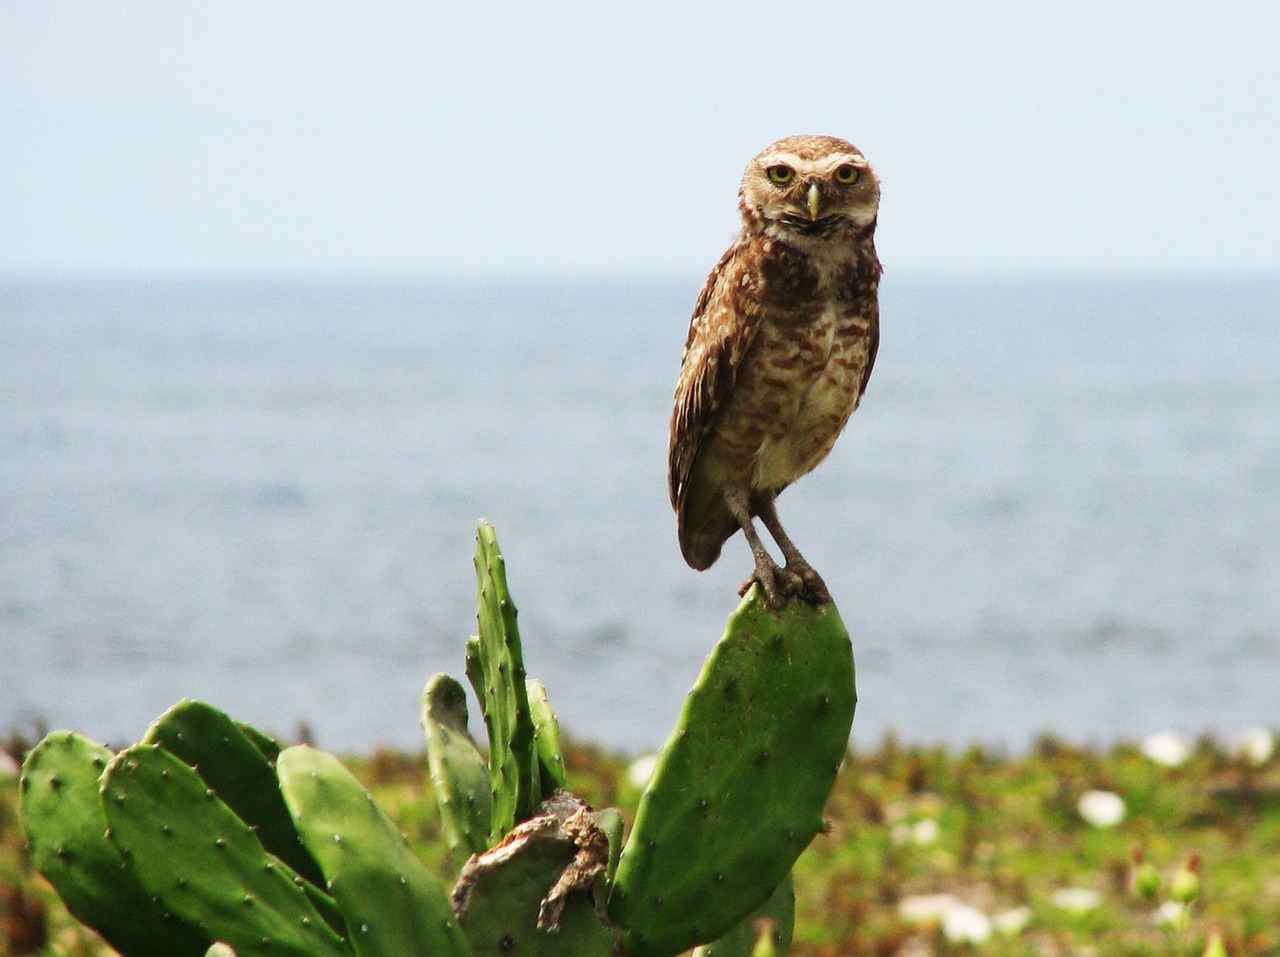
(208, 839)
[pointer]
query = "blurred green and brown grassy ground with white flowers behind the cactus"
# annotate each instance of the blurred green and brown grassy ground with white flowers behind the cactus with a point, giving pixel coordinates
(973, 836)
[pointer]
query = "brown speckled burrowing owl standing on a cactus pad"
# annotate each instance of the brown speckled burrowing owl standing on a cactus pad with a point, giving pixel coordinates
(780, 349)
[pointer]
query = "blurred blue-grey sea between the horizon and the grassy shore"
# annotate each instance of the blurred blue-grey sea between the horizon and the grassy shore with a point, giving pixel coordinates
(1057, 510)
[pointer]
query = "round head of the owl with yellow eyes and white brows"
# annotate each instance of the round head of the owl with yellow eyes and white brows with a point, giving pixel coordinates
(812, 187)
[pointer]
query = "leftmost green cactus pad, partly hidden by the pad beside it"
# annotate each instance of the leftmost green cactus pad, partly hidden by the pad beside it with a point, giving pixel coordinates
(67, 828)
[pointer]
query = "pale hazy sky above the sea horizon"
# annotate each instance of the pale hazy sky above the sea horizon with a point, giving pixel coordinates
(560, 138)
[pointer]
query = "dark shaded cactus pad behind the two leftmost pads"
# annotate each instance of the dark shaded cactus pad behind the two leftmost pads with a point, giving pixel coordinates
(240, 773)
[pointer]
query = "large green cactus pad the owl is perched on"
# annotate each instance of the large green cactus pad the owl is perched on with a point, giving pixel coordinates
(742, 784)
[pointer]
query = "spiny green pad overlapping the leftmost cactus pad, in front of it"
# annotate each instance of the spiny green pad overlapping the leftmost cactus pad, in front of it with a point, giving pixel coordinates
(208, 867)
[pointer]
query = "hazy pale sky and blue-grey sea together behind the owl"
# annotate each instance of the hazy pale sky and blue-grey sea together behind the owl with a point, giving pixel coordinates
(292, 296)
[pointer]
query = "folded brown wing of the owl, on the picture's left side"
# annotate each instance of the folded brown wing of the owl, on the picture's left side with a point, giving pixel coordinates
(720, 335)
